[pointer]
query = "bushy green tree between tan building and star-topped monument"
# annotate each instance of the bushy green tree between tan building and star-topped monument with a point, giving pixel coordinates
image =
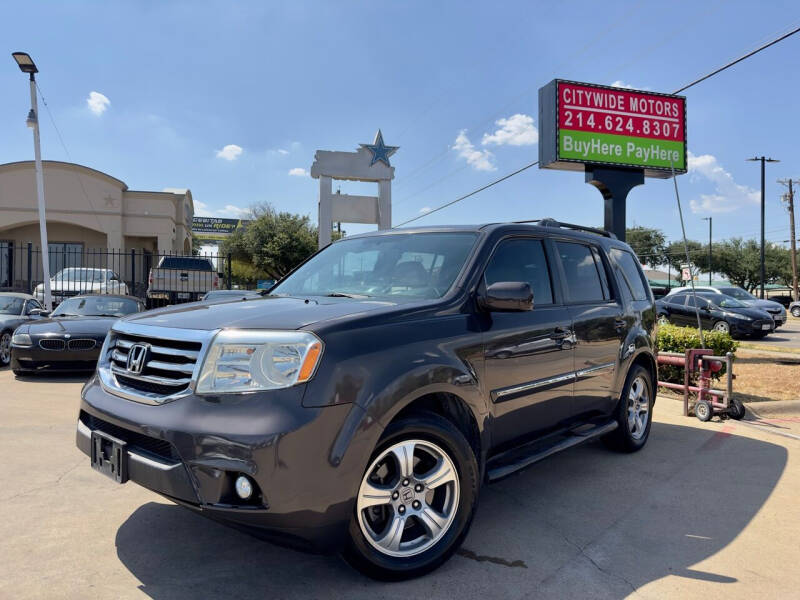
(273, 242)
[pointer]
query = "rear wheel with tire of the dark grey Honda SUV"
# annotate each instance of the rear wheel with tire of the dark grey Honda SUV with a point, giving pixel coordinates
(634, 412)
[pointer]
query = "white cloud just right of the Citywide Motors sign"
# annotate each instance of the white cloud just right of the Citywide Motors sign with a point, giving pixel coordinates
(728, 195)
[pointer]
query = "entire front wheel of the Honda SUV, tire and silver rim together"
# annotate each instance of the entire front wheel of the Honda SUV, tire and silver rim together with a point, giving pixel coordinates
(416, 500)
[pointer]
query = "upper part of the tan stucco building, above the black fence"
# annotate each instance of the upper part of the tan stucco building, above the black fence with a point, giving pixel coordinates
(93, 209)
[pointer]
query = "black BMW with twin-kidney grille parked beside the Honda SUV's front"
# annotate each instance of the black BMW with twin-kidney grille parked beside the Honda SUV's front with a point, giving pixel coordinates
(70, 340)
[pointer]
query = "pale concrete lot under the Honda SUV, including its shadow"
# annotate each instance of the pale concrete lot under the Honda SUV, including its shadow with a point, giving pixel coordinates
(705, 511)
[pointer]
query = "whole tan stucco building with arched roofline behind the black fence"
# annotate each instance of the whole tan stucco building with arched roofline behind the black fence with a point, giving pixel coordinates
(93, 220)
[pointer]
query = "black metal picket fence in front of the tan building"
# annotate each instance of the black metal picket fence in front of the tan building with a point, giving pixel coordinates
(76, 270)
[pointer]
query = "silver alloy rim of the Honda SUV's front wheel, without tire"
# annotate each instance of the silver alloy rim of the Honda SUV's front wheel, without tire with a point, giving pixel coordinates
(408, 498)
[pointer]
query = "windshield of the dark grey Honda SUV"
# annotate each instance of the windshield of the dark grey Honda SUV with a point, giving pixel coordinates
(398, 266)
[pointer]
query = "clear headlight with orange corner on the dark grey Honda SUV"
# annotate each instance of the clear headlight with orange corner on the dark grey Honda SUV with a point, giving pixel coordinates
(249, 361)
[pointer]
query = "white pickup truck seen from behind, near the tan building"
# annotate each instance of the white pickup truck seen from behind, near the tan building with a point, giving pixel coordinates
(181, 279)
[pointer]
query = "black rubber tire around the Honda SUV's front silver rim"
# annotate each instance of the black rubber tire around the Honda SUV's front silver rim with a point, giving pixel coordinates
(360, 554)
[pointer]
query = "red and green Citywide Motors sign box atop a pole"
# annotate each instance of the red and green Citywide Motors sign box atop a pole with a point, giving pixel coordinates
(582, 123)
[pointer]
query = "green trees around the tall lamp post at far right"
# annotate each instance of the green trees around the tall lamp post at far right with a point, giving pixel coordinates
(740, 261)
